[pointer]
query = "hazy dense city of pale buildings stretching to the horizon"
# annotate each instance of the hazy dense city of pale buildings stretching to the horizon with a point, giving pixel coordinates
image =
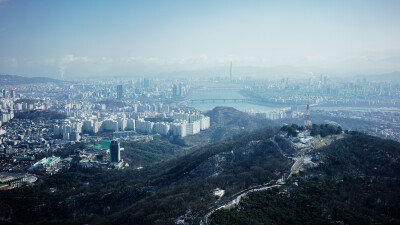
(39, 122)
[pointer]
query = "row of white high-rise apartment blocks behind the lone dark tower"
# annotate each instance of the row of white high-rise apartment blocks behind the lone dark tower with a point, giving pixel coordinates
(124, 125)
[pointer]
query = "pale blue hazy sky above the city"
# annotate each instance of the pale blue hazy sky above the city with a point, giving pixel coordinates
(88, 38)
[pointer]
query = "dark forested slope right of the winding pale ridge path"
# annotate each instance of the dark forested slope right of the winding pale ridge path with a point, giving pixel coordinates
(356, 182)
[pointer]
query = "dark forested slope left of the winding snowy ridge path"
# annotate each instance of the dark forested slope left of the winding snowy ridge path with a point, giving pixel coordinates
(154, 195)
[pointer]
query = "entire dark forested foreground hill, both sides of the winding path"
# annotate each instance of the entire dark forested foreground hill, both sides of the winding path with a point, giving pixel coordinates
(348, 178)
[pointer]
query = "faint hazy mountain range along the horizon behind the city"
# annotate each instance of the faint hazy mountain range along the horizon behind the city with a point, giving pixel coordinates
(242, 72)
